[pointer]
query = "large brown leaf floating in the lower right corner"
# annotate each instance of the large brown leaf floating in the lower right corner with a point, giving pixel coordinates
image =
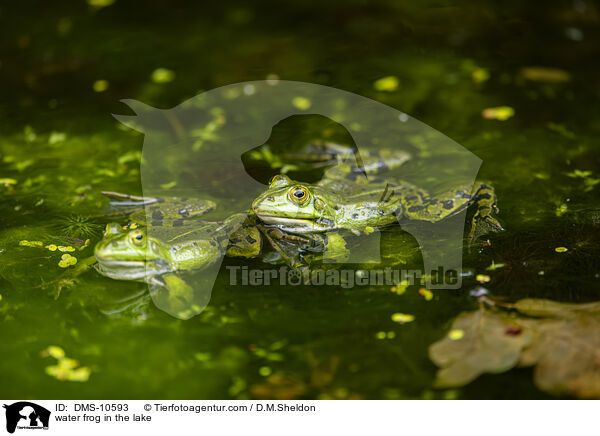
(561, 340)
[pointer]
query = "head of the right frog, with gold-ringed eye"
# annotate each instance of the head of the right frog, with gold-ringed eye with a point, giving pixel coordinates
(296, 207)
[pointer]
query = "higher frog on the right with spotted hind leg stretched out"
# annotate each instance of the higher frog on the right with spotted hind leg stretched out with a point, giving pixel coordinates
(336, 204)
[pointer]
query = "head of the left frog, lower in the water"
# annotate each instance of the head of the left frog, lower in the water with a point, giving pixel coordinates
(130, 254)
